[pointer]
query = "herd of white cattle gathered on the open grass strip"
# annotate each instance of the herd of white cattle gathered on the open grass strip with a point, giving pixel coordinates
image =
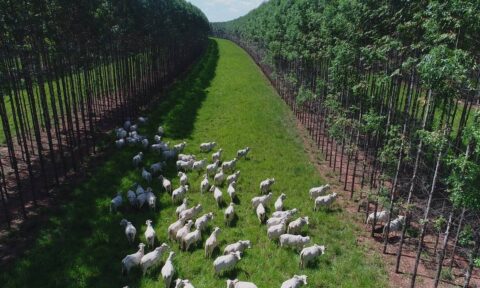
(280, 226)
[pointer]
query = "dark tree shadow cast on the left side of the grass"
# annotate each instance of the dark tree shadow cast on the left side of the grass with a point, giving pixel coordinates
(82, 244)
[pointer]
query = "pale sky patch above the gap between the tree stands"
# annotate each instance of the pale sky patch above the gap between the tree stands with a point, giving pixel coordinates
(224, 10)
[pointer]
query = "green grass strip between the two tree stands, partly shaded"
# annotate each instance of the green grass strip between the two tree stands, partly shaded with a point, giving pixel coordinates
(225, 98)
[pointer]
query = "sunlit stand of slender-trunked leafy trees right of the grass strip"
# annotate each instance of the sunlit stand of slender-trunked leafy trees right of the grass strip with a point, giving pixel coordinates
(390, 93)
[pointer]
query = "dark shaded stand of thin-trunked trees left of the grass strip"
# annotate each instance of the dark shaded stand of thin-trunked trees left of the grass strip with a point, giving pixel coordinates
(70, 68)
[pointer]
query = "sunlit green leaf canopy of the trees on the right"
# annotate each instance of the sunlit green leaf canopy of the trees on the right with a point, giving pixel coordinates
(367, 53)
